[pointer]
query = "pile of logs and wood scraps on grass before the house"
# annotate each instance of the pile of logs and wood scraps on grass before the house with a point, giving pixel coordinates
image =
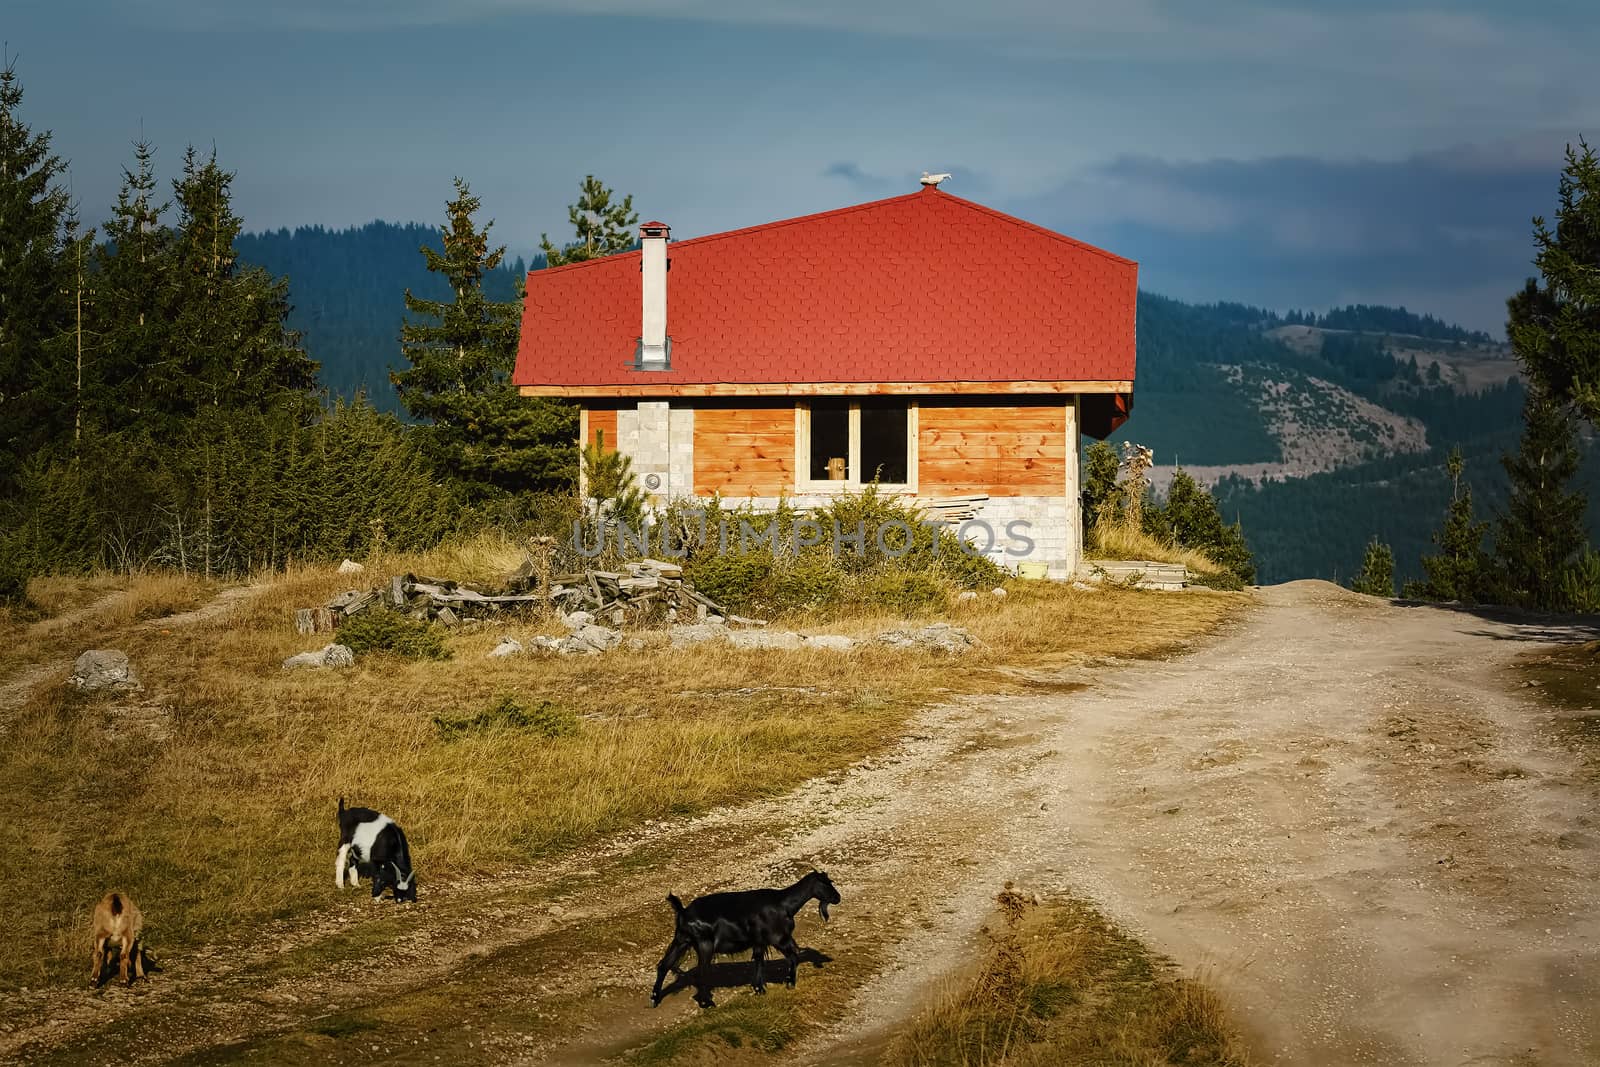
(614, 597)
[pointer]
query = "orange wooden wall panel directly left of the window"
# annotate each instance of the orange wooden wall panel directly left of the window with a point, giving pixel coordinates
(745, 452)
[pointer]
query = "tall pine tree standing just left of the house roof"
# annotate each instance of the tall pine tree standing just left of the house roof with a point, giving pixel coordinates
(460, 374)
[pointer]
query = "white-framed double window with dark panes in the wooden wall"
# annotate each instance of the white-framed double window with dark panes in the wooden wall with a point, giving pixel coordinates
(847, 444)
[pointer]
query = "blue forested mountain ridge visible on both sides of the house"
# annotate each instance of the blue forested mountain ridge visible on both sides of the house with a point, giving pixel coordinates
(1319, 431)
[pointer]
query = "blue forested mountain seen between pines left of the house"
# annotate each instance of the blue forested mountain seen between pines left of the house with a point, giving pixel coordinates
(348, 289)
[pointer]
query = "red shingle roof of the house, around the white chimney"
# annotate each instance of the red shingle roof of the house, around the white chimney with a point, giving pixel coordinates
(924, 287)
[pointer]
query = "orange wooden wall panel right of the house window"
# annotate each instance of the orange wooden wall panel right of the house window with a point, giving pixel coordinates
(1002, 450)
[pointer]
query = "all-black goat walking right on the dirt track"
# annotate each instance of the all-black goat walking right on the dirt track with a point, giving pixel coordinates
(734, 922)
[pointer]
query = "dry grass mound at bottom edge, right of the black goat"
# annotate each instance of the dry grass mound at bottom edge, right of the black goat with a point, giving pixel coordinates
(1060, 985)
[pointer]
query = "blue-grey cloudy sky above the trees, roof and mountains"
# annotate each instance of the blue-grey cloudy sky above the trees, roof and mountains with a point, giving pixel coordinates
(1279, 154)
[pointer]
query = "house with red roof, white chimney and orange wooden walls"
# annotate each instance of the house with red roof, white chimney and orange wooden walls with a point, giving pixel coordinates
(924, 342)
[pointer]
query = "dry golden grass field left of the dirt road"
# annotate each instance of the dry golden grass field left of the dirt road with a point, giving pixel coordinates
(218, 807)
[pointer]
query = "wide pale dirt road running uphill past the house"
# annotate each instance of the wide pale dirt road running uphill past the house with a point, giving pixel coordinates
(1340, 810)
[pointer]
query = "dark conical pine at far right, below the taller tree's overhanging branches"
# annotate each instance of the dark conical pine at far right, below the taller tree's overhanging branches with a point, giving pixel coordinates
(1543, 527)
